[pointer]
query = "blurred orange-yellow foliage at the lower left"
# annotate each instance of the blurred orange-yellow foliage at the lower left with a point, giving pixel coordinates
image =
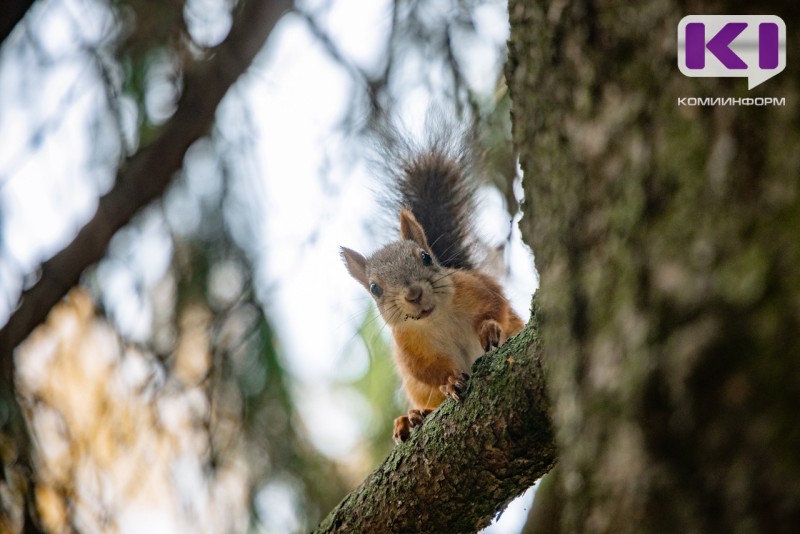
(117, 433)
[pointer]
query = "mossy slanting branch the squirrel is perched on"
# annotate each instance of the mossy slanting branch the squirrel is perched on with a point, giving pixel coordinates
(468, 460)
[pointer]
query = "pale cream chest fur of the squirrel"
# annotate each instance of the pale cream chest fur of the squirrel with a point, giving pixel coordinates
(454, 335)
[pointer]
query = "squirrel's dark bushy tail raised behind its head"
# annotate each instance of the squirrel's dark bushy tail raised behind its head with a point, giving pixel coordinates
(434, 181)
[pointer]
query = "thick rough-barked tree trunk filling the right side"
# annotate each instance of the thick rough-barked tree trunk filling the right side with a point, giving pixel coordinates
(667, 240)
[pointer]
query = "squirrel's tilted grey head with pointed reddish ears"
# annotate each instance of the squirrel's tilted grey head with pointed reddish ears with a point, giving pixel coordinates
(404, 277)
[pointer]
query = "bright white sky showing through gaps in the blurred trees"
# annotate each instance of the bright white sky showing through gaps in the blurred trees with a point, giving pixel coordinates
(294, 96)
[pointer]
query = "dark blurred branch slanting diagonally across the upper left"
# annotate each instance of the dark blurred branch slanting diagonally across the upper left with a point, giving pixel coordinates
(146, 174)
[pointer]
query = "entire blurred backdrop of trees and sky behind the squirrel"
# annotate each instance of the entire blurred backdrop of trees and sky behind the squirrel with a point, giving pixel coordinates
(216, 370)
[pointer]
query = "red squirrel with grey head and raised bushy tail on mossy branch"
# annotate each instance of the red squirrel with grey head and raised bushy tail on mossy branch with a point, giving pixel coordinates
(443, 312)
